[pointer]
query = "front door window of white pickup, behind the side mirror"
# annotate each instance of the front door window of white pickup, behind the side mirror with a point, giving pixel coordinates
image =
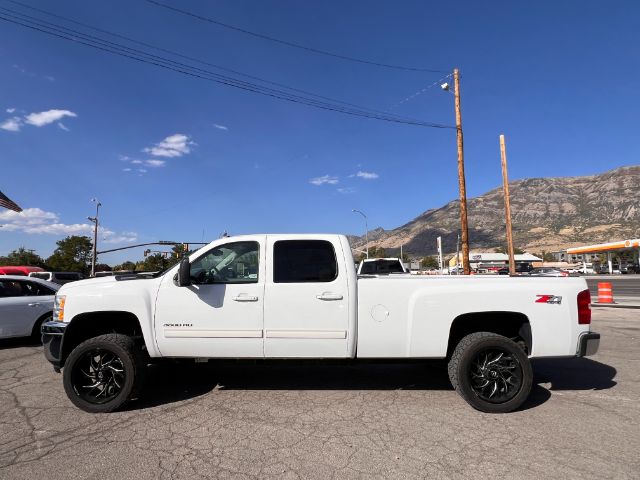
(230, 263)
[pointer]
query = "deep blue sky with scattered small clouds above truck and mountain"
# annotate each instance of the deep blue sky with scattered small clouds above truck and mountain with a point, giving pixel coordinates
(176, 158)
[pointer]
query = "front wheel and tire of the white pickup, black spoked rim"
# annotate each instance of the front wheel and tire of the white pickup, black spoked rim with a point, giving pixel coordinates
(103, 373)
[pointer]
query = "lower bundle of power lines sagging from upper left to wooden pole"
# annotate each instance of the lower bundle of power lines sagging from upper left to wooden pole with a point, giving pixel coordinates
(144, 57)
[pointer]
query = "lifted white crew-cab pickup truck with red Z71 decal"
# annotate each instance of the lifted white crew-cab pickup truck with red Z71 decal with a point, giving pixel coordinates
(298, 296)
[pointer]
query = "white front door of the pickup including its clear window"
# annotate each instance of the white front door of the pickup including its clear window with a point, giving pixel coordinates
(221, 313)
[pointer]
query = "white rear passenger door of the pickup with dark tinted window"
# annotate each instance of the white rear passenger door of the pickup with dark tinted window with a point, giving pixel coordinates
(306, 310)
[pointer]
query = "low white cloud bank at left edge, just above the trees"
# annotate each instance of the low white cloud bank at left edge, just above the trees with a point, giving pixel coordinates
(38, 221)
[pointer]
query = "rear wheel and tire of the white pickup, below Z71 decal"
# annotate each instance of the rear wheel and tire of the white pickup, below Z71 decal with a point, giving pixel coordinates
(491, 372)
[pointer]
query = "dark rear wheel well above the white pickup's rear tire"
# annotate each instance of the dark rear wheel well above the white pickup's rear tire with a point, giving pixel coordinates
(512, 325)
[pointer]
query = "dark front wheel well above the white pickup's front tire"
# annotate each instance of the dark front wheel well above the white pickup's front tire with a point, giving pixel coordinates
(92, 324)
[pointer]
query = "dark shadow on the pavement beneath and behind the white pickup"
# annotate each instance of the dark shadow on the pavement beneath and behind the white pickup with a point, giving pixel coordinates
(169, 383)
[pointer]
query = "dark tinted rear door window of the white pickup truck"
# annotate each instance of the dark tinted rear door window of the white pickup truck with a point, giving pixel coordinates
(300, 261)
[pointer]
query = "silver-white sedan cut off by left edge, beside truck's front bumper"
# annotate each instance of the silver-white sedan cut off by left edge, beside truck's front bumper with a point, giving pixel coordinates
(25, 303)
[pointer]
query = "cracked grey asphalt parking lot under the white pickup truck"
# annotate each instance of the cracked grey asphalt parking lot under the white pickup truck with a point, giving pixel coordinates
(330, 421)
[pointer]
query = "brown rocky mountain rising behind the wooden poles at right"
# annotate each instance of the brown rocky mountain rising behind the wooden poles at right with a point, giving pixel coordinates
(547, 214)
